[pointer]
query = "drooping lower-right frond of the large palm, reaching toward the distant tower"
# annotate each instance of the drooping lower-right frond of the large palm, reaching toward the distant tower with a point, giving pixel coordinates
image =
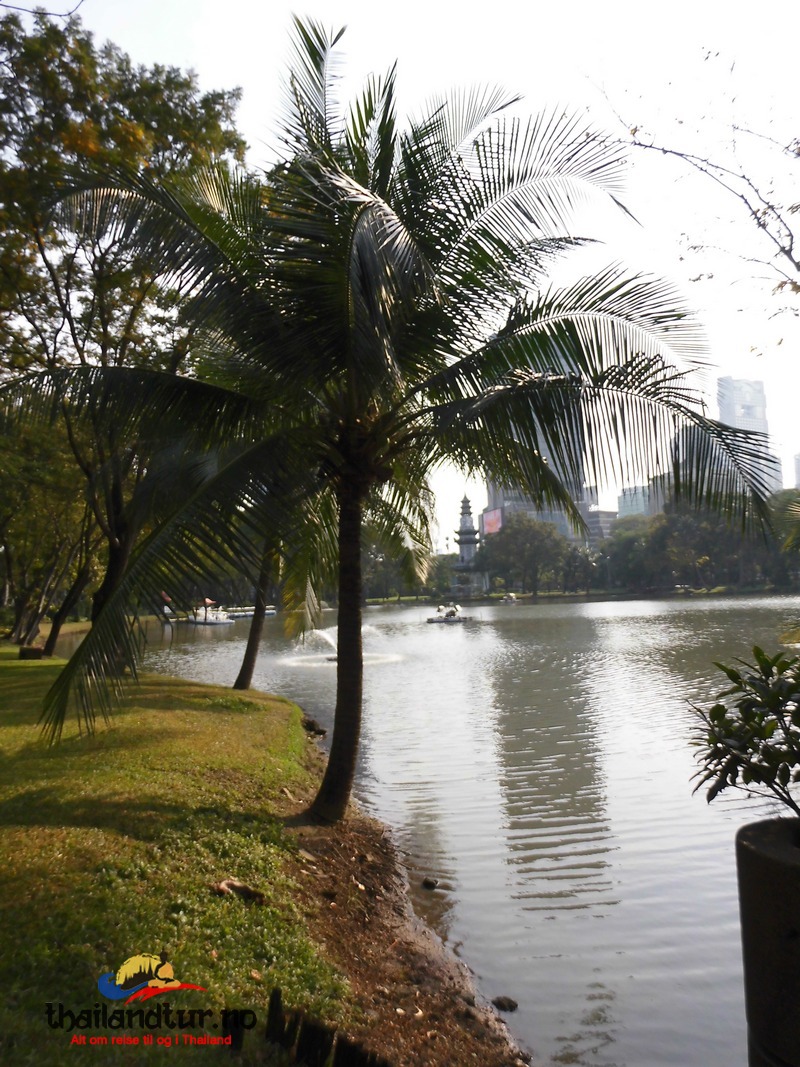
(628, 423)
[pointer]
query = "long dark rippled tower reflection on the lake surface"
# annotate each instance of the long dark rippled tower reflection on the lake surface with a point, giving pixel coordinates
(552, 778)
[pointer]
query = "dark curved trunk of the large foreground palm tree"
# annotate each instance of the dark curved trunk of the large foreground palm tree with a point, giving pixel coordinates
(331, 803)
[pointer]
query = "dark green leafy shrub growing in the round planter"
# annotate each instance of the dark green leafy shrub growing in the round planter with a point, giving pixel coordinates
(751, 735)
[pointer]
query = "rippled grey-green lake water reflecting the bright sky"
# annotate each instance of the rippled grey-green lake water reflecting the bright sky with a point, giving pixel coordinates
(538, 763)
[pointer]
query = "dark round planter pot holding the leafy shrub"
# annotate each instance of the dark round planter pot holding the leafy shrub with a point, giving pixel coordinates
(769, 864)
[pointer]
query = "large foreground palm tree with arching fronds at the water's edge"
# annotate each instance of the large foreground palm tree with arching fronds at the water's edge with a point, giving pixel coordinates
(378, 306)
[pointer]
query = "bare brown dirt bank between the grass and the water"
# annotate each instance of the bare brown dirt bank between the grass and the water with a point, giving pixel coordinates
(418, 1005)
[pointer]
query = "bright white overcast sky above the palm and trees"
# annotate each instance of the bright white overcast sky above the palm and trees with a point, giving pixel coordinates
(684, 75)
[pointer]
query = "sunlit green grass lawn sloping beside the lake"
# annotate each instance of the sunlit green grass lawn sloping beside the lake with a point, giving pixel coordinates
(109, 846)
